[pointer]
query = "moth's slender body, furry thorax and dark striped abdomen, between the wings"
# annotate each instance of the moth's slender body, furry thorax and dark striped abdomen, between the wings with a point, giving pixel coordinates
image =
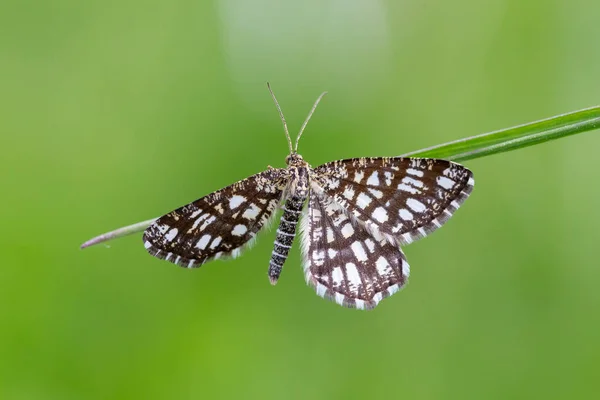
(289, 221)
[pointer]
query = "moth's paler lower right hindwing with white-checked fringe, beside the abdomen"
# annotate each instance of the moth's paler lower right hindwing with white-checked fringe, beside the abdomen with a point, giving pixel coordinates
(344, 261)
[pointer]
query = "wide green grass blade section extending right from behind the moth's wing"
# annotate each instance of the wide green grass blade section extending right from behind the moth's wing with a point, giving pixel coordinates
(514, 138)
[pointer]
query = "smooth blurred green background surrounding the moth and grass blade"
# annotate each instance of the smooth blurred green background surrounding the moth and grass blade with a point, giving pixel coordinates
(114, 112)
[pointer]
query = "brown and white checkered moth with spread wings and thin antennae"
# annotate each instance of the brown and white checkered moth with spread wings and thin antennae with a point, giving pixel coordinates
(358, 214)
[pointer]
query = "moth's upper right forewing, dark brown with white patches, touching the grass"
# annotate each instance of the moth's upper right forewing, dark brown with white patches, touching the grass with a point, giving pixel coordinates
(403, 198)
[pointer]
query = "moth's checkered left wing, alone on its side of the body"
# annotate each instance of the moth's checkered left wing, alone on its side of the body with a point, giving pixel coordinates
(219, 224)
